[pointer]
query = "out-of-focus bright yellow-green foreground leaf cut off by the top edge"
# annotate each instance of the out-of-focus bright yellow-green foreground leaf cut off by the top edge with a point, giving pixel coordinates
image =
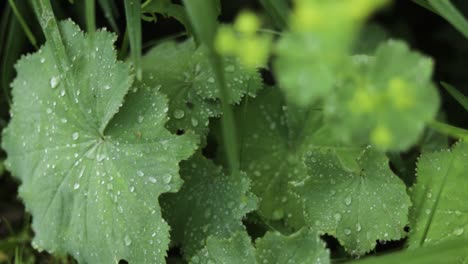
(313, 55)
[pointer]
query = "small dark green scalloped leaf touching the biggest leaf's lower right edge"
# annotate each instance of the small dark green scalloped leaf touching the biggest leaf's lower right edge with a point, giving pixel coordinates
(210, 203)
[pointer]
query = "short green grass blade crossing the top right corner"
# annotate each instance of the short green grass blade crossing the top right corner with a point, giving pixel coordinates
(449, 12)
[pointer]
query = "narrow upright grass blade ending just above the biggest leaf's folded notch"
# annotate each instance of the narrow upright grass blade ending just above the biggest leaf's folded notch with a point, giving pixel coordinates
(133, 16)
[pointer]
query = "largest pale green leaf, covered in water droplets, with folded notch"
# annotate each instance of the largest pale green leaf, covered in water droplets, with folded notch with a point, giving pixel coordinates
(97, 173)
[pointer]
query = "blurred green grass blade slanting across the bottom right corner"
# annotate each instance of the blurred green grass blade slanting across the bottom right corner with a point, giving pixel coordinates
(451, 251)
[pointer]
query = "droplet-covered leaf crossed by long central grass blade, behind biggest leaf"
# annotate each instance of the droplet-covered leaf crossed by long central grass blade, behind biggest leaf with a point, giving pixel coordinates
(184, 74)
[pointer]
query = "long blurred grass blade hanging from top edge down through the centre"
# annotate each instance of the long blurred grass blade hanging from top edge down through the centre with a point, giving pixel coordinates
(203, 16)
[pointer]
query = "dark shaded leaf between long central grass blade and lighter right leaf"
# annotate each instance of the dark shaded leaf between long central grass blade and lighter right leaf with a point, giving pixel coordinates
(269, 151)
